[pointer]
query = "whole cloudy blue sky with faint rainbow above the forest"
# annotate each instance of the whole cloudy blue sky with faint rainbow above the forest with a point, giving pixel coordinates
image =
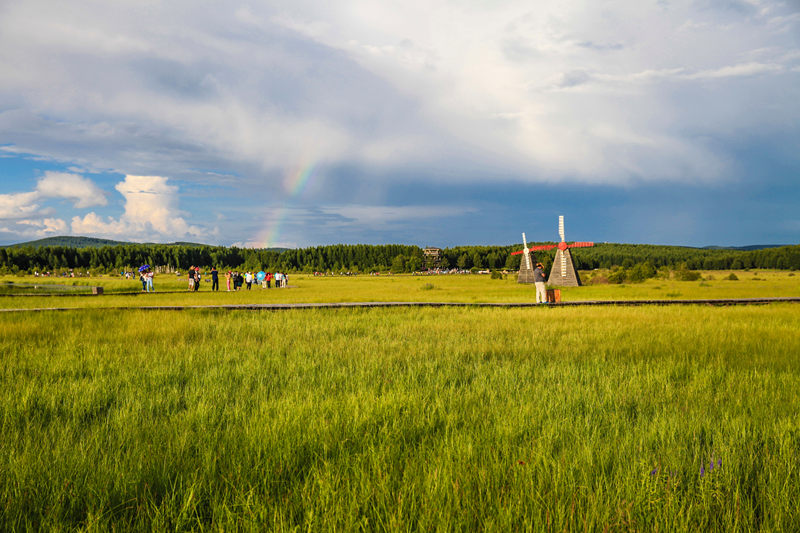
(304, 123)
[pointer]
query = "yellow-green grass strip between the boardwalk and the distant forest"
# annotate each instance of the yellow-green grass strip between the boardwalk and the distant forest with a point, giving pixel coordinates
(171, 290)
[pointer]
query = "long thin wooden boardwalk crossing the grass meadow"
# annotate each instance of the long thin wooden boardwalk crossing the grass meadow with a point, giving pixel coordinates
(358, 305)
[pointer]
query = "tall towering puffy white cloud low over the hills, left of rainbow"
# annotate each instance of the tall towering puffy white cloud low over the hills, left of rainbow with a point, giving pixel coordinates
(151, 213)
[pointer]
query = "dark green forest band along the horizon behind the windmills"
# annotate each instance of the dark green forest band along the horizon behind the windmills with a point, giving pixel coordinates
(369, 258)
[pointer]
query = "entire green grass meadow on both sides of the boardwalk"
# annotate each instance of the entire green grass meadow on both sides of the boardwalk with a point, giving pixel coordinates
(544, 419)
